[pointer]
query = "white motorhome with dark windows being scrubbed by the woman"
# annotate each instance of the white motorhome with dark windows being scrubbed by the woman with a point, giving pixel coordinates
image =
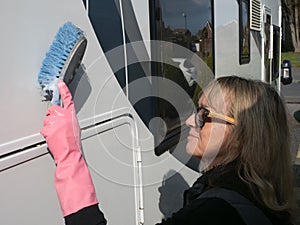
(144, 66)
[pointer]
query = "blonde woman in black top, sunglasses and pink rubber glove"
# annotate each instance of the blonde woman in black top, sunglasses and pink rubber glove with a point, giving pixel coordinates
(239, 131)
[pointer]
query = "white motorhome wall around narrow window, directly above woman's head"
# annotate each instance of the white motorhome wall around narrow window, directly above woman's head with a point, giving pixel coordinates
(227, 44)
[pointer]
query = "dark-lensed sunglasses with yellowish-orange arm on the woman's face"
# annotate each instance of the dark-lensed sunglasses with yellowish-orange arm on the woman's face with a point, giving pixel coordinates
(202, 113)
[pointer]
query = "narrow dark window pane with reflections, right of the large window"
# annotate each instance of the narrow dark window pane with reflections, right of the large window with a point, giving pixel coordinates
(244, 26)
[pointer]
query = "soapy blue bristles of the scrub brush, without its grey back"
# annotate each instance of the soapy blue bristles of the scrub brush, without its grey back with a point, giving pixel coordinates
(61, 47)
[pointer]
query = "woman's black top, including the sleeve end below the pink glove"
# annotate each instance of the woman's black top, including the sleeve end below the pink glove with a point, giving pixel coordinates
(211, 211)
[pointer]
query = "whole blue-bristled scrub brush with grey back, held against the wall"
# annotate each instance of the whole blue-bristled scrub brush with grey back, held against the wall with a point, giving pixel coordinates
(61, 61)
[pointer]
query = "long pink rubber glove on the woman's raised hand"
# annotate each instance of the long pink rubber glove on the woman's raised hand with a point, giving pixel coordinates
(61, 130)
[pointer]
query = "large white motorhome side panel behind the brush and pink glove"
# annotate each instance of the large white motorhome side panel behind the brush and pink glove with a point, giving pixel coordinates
(27, 190)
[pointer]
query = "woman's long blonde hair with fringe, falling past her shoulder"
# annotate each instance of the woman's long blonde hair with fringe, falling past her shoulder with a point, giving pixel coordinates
(260, 139)
